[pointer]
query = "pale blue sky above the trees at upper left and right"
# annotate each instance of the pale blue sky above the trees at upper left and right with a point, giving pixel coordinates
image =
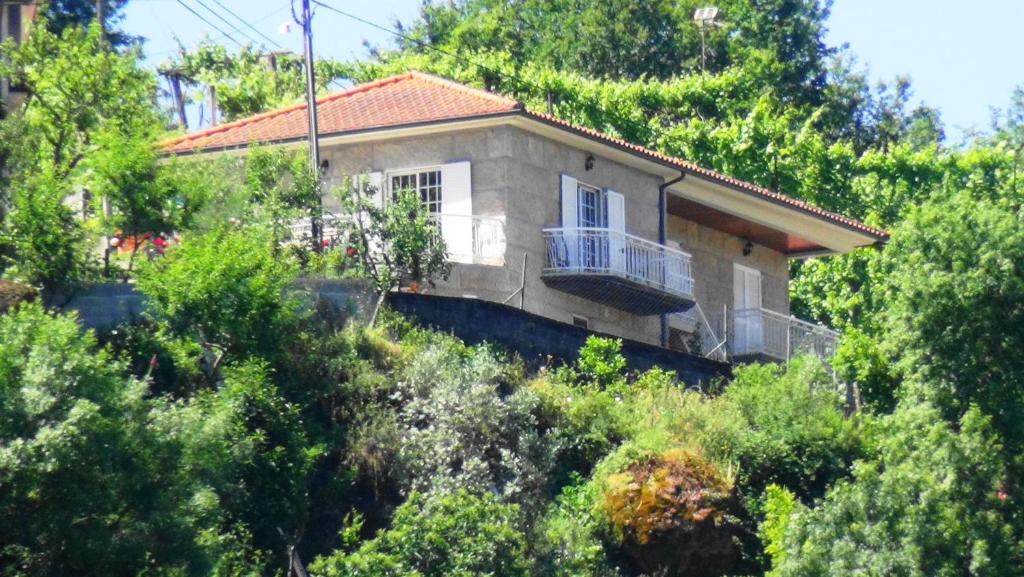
(963, 58)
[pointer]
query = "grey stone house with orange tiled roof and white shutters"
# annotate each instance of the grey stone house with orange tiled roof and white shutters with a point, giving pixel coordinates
(569, 224)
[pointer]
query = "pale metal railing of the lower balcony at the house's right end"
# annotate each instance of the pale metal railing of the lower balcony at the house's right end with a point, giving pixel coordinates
(759, 332)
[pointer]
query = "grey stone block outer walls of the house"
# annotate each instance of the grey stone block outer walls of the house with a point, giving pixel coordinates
(516, 177)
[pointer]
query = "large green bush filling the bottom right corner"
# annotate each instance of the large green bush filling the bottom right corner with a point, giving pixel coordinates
(927, 505)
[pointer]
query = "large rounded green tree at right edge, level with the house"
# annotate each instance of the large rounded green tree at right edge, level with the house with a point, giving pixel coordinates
(956, 315)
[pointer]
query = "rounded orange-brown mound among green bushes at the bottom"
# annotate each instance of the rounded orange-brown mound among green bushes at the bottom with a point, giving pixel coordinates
(672, 515)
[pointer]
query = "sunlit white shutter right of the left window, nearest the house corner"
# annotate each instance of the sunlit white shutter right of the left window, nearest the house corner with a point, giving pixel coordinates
(457, 212)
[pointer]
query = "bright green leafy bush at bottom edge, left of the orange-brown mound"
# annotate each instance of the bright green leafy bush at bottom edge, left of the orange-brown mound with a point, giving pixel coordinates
(438, 535)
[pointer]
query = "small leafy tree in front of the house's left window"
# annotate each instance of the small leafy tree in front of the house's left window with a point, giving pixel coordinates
(396, 244)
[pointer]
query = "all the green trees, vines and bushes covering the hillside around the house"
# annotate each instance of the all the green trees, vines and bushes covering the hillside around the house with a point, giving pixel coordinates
(238, 431)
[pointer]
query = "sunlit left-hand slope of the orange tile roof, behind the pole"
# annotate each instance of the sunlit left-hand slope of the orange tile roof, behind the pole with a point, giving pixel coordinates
(408, 99)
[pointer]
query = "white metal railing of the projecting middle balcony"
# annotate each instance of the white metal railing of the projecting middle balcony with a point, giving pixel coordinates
(602, 252)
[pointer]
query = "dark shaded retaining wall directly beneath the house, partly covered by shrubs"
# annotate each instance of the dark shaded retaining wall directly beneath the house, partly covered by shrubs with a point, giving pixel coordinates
(541, 341)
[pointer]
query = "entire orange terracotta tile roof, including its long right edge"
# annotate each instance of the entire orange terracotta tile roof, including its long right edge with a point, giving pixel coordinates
(417, 98)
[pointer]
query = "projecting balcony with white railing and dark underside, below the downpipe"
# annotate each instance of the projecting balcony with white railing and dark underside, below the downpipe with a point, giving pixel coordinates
(619, 270)
